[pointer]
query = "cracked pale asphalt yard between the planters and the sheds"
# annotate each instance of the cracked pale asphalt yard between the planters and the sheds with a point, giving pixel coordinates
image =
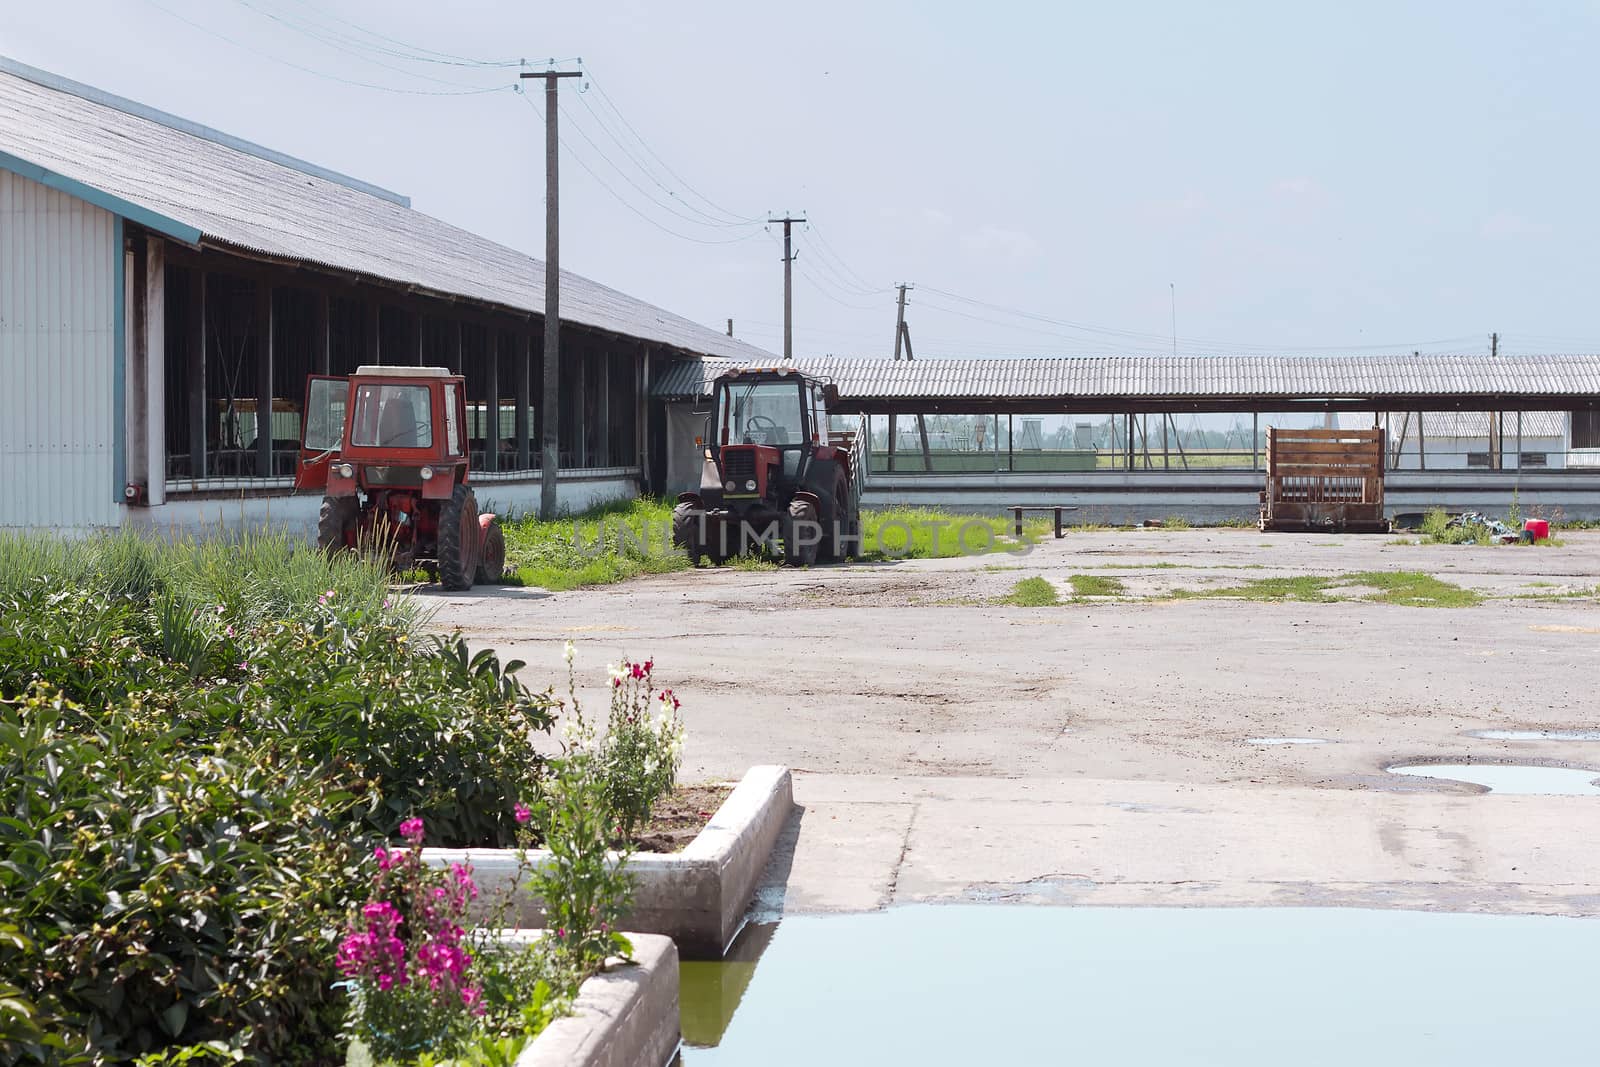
(1102, 751)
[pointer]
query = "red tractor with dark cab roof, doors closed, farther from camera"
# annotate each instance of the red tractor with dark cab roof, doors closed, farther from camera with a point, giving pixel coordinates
(772, 473)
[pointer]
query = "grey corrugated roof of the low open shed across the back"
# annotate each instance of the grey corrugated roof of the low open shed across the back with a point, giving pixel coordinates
(1166, 377)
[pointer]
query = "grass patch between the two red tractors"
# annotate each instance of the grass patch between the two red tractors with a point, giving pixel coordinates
(598, 548)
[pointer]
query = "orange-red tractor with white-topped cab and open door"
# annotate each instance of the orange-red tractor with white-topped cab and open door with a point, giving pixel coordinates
(388, 447)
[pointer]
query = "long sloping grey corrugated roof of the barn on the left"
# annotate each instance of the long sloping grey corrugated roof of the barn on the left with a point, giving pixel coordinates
(239, 196)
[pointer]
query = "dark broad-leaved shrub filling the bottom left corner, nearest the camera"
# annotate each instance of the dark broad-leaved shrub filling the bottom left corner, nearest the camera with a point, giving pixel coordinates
(167, 895)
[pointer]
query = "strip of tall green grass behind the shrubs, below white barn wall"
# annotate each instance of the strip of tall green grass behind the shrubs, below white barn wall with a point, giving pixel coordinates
(252, 578)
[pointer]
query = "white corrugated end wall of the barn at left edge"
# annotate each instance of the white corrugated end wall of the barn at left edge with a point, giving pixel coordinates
(58, 359)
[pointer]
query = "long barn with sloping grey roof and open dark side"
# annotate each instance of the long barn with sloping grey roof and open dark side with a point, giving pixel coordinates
(166, 290)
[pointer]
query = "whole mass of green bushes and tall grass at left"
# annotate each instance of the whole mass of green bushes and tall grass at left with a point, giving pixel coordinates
(196, 746)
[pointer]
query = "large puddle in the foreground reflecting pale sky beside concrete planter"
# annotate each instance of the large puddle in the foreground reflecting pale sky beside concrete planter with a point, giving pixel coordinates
(994, 985)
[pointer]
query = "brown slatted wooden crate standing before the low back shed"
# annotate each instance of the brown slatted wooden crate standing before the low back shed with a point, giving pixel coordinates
(1326, 481)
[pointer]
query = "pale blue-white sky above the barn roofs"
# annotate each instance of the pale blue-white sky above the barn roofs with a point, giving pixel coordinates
(1393, 175)
